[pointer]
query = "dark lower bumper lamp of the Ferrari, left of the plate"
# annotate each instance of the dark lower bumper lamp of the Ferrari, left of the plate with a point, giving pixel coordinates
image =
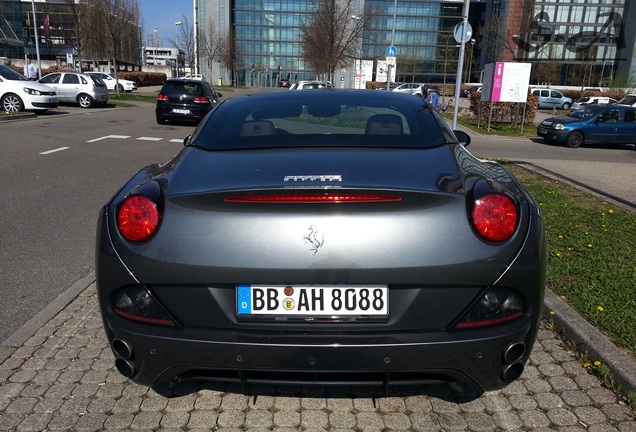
(137, 304)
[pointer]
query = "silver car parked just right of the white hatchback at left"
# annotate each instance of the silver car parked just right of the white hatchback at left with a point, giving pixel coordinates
(82, 89)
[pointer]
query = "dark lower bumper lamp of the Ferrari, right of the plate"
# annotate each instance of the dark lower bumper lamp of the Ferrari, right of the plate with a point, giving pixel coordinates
(495, 306)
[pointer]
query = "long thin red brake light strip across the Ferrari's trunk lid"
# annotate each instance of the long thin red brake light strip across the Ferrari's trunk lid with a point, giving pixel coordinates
(312, 198)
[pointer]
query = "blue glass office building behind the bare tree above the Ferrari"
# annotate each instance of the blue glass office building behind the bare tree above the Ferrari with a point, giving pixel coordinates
(266, 35)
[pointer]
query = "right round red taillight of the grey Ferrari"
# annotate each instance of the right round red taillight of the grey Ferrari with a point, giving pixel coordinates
(495, 217)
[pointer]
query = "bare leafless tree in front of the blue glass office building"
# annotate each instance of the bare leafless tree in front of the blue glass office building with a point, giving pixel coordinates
(330, 35)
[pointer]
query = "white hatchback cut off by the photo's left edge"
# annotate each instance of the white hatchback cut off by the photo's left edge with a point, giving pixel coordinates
(18, 93)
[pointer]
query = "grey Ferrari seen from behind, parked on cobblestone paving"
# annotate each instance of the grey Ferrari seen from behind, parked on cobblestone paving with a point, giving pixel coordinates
(327, 237)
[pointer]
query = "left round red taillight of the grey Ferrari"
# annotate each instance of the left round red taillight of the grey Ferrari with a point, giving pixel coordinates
(138, 218)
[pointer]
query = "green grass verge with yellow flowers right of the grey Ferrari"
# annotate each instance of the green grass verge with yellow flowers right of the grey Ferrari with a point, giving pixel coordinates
(591, 255)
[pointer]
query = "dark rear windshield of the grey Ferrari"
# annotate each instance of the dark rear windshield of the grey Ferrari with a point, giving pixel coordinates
(330, 120)
